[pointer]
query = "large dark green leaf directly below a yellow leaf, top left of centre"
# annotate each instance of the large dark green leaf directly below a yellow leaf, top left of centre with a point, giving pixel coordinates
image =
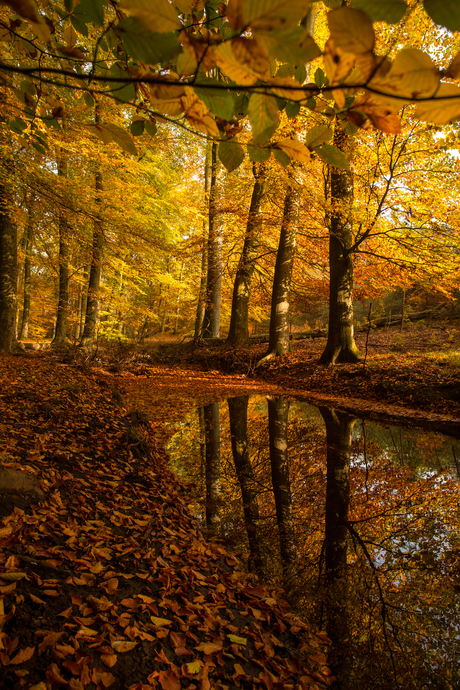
(145, 46)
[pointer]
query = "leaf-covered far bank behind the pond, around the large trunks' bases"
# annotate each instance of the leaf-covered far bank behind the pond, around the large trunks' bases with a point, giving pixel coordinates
(409, 377)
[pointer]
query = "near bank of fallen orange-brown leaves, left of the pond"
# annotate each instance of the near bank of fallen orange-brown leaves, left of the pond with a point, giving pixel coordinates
(106, 580)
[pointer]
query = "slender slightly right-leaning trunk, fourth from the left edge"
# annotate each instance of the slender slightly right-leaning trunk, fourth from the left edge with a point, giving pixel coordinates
(92, 300)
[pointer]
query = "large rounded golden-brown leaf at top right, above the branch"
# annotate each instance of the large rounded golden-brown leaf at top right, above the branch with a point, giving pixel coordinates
(351, 30)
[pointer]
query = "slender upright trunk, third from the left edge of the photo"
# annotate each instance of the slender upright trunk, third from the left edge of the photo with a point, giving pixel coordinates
(60, 333)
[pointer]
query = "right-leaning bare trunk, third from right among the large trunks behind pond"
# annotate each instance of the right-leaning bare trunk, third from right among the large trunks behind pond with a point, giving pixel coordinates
(238, 335)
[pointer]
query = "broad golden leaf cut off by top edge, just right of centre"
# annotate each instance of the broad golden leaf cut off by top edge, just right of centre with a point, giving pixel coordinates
(266, 15)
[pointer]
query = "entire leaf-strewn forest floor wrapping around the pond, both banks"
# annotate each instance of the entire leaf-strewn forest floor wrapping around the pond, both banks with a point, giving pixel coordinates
(106, 579)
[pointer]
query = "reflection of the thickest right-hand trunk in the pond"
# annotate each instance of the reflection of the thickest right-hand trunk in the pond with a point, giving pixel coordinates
(339, 428)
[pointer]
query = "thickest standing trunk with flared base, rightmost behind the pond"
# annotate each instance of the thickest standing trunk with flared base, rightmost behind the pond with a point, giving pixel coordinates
(341, 346)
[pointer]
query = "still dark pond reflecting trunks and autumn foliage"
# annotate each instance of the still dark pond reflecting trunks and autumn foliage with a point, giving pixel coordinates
(358, 522)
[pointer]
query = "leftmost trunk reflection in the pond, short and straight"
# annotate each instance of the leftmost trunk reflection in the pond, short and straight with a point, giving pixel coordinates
(213, 491)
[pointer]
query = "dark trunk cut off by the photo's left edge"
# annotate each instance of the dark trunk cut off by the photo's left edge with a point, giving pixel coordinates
(8, 275)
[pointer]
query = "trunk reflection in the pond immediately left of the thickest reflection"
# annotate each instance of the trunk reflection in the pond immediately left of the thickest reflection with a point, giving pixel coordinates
(278, 415)
